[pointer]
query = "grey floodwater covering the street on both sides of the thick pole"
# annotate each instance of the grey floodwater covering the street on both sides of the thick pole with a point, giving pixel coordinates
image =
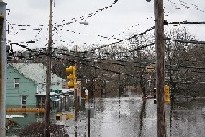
(132, 117)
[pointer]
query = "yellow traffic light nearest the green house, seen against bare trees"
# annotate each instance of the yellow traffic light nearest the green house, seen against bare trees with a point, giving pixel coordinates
(71, 76)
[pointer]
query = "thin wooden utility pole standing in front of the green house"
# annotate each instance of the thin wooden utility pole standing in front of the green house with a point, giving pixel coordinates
(48, 75)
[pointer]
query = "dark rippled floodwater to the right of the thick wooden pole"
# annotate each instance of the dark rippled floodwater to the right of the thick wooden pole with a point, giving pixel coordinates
(188, 119)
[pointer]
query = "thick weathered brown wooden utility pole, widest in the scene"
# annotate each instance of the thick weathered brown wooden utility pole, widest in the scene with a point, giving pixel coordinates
(160, 50)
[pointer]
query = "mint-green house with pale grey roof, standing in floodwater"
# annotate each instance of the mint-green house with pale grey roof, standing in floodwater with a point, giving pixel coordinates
(26, 84)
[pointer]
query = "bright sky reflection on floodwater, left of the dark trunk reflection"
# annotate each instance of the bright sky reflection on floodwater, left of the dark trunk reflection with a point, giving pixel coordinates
(117, 117)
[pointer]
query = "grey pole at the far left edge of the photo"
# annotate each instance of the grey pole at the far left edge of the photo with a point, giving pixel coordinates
(2, 69)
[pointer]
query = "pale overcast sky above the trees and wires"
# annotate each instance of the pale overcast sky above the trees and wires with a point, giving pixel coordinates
(118, 20)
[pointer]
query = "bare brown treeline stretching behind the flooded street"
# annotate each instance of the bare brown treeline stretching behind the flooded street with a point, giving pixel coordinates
(131, 63)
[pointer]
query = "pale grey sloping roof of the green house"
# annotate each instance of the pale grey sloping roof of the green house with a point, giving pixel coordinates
(35, 72)
